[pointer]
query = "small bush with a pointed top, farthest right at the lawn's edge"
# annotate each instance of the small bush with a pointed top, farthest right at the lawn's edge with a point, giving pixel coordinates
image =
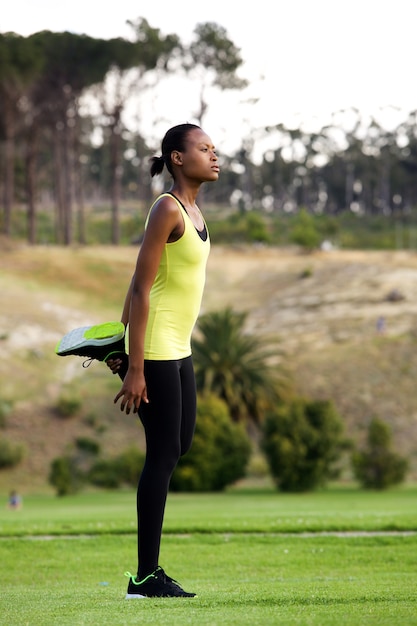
(378, 466)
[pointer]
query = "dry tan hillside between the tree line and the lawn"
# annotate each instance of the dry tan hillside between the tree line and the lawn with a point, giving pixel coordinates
(321, 310)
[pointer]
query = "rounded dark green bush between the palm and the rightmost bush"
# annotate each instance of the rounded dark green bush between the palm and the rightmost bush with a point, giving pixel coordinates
(302, 441)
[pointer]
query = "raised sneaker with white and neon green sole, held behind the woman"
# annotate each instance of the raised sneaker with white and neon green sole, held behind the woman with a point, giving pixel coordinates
(100, 342)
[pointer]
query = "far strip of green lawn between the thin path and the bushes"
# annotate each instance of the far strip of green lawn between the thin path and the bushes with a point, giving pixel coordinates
(236, 511)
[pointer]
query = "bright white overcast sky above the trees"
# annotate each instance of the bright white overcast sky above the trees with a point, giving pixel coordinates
(305, 59)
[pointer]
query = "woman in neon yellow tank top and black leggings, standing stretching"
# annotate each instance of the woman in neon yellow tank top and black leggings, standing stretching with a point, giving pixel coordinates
(161, 308)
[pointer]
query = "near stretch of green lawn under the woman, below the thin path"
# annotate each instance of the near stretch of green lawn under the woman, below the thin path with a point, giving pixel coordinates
(239, 580)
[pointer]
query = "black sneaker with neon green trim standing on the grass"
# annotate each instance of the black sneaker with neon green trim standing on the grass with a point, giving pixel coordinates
(156, 585)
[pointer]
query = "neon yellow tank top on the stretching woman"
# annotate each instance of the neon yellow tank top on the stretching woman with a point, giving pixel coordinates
(175, 297)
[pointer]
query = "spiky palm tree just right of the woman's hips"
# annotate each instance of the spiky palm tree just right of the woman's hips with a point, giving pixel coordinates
(235, 365)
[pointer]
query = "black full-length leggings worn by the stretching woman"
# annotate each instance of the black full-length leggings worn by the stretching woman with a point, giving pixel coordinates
(169, 423)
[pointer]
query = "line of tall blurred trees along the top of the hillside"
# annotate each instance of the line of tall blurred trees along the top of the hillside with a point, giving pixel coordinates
(357, 169)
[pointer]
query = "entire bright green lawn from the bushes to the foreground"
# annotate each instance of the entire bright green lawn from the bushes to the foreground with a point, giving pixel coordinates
(340, 556)
